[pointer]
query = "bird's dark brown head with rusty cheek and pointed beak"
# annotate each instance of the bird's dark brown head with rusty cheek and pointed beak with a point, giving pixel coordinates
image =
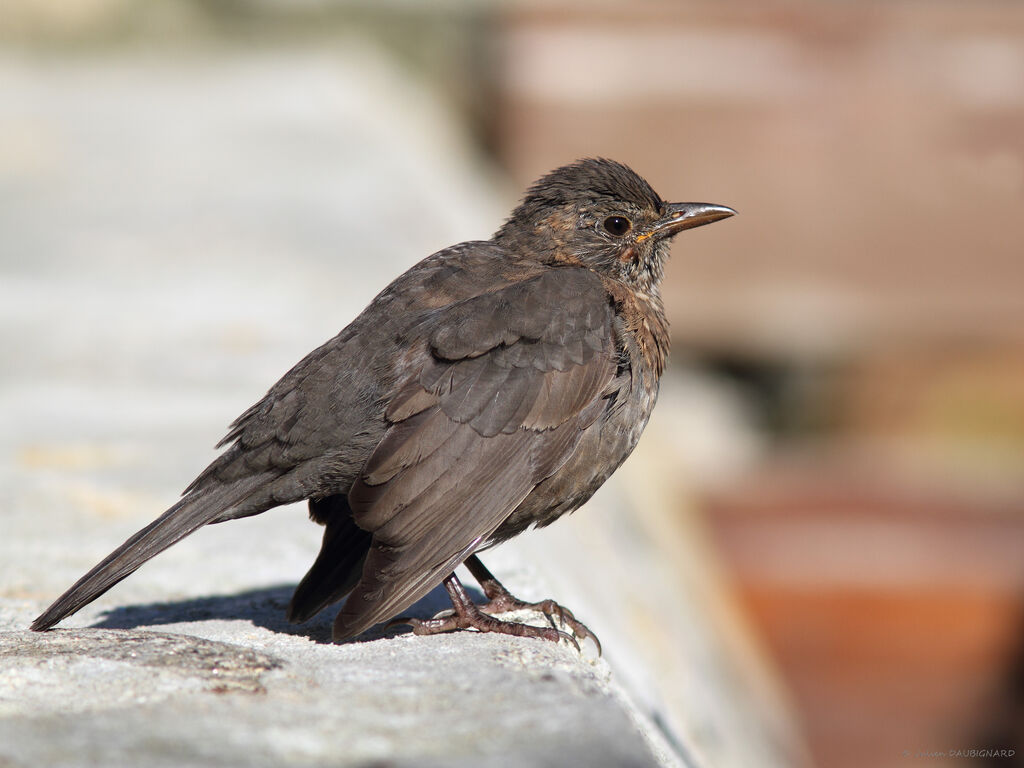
(604, 216)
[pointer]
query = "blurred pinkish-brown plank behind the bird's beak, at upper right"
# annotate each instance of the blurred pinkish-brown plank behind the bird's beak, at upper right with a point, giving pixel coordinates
(874, 151)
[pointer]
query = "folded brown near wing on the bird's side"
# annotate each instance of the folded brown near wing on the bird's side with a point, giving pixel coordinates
(502, 388)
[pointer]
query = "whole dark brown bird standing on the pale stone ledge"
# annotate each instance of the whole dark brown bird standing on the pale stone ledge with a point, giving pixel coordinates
(492, 388)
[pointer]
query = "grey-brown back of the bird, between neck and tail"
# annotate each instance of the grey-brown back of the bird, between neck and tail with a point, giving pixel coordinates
(319, 423)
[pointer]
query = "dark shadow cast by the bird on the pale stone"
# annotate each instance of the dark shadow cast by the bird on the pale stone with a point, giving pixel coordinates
(265, 608)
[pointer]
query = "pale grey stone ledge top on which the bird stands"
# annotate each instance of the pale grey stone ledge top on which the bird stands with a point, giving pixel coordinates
(177, 236)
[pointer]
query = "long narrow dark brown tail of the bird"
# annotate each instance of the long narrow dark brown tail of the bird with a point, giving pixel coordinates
(194, 511)
